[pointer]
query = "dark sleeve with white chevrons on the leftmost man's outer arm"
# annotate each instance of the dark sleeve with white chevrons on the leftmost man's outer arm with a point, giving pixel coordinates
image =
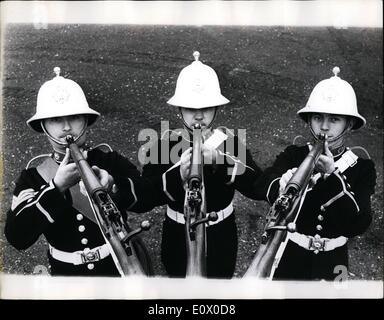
(32, 211)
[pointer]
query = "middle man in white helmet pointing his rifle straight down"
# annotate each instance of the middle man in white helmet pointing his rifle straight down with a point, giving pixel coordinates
(227, 166)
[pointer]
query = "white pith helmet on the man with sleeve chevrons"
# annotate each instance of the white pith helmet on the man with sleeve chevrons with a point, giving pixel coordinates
(60, 97)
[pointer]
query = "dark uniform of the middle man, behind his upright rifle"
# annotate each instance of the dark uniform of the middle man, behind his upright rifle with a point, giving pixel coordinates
(220, 186)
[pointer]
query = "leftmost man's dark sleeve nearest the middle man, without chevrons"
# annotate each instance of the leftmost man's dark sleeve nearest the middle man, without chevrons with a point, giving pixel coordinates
(134, 193)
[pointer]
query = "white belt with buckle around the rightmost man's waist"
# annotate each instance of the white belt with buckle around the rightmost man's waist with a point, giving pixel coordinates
(317, 243)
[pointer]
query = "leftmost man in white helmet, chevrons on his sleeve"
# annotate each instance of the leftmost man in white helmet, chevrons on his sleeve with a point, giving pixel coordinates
(52, 198)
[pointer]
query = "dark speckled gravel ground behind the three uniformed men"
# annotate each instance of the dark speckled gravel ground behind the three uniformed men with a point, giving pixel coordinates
(129, 72)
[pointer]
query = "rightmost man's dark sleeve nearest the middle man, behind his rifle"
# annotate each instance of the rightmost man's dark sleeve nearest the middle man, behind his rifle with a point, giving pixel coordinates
(267, 185)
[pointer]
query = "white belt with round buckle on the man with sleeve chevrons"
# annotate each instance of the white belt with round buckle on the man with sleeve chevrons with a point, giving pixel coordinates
(80, 257)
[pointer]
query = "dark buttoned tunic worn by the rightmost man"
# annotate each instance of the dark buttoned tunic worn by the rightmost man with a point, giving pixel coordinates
(338, 205)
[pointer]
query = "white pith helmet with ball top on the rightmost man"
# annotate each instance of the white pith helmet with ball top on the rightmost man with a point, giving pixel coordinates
(334, 96)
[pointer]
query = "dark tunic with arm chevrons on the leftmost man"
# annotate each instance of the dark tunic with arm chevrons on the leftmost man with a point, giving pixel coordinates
(52, 214)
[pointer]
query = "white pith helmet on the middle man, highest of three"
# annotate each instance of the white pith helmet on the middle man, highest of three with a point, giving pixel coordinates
(197, 87)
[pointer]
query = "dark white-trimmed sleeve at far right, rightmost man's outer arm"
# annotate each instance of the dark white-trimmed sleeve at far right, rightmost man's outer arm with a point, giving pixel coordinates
(351, 205)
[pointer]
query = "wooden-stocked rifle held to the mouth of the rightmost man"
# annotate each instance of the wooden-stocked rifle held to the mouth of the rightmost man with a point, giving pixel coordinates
(282, 214)
